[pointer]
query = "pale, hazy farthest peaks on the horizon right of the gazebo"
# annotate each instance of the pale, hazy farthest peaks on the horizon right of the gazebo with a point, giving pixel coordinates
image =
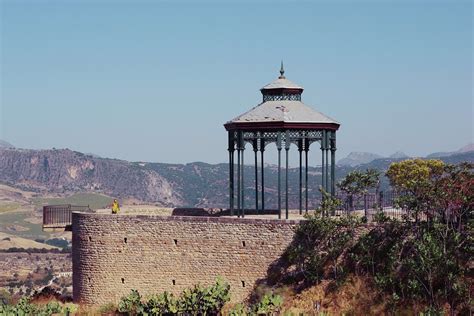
(359, 158)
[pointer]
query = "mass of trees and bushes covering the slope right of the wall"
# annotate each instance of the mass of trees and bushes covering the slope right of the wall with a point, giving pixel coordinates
(411, 265)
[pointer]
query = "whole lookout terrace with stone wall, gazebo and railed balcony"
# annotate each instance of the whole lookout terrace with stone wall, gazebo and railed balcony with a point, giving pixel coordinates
(154, 250)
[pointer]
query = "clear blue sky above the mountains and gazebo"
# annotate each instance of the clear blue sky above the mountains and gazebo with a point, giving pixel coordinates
(156, 81)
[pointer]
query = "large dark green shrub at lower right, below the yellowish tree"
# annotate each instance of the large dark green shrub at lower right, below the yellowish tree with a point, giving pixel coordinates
(427, 262)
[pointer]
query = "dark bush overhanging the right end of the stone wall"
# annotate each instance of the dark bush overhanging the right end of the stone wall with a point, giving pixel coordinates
(316, 253)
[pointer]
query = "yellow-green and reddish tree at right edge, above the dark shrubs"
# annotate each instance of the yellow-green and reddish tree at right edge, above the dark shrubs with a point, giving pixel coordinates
(434, 189)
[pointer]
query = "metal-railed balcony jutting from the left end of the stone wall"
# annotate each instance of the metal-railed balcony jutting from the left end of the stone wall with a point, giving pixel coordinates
(59, 216)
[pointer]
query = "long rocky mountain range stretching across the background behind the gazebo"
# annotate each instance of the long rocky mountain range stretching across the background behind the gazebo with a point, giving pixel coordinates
(197, 184)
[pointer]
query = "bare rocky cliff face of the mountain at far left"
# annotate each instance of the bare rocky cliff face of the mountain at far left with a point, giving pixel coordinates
(64, 171)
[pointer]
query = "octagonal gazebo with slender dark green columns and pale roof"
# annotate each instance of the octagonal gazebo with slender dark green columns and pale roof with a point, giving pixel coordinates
(281, 118)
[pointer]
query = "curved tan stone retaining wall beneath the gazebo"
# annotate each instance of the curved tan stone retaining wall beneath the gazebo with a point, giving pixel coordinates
(113, 254)
